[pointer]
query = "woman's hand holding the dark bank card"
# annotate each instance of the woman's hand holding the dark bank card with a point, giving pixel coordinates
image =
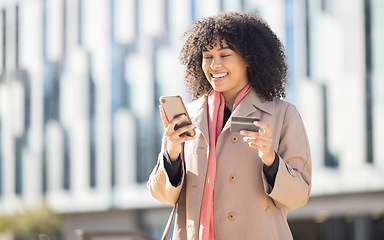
(261, 141)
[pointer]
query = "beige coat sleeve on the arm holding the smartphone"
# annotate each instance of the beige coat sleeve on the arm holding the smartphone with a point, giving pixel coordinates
(159, 184)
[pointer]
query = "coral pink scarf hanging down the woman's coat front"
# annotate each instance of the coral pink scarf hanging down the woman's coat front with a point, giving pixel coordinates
(216, 103)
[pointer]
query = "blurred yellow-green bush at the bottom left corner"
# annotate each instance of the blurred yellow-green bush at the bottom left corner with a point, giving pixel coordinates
(32, 222)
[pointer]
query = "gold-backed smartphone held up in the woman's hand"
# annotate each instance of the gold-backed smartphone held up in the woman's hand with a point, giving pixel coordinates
(174, 107)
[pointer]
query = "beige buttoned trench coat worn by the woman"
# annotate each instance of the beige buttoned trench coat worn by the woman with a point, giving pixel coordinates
(245, 205)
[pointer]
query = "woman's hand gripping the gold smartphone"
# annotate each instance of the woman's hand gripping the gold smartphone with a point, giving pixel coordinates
(174, 140)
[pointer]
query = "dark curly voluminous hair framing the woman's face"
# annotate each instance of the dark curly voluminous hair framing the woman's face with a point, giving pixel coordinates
(250, 37)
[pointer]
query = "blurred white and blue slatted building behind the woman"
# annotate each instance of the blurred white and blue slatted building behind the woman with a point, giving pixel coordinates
(79, 123)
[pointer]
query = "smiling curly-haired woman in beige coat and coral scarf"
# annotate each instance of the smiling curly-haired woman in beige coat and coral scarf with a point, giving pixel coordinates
(231, 185)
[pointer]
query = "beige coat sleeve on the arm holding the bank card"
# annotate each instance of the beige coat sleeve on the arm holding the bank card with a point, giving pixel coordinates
(293, 179)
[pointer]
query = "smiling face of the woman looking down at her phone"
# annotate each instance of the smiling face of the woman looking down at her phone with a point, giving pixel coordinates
(225, 70)
